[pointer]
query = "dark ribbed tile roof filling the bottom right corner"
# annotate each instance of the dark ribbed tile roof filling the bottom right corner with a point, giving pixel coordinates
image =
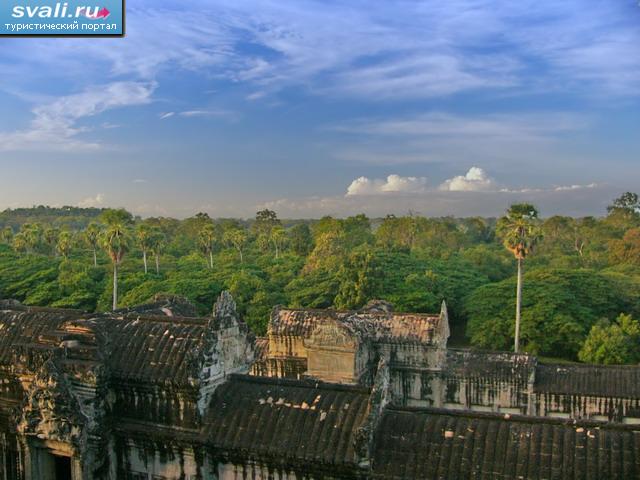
(446, 445)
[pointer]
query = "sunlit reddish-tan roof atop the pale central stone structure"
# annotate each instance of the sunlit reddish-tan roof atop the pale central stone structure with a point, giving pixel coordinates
(378, 325)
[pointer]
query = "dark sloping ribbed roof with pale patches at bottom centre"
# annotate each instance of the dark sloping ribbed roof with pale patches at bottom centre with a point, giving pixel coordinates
(285, 421)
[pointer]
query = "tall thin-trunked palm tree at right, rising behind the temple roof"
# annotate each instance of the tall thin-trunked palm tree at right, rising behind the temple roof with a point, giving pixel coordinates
(520, 233)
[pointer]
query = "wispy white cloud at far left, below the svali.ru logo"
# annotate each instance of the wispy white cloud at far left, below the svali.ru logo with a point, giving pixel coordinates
(55, 124)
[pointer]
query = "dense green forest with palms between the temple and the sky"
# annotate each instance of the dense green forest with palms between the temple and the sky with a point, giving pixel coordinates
(580, 276)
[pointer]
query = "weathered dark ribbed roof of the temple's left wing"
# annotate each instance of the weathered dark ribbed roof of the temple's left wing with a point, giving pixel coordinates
(135, 344)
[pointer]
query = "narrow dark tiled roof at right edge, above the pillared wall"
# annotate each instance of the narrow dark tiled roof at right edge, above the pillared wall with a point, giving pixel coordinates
(597, 380)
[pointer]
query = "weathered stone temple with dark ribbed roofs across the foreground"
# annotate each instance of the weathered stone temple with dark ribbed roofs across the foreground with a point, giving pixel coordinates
(156, 392)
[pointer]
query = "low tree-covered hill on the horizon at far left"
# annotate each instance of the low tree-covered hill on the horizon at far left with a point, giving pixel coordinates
(72, 217)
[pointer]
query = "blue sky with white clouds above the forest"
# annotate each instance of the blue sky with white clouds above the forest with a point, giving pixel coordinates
(311, 108)
